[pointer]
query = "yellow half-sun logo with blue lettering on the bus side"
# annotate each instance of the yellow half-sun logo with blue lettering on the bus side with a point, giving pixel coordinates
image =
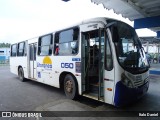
(47, 63)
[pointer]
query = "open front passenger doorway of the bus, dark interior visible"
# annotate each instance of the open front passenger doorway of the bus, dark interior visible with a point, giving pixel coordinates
(93, 64)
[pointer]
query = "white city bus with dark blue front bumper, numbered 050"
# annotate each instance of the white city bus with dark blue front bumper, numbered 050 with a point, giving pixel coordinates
(100, 58)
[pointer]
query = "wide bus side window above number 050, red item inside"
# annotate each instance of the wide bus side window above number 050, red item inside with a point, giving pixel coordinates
(66, 42)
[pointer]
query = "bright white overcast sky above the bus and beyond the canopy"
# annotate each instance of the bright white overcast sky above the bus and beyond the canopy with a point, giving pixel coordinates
(24, 19)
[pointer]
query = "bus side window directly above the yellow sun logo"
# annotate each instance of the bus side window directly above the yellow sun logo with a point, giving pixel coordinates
(44, 45)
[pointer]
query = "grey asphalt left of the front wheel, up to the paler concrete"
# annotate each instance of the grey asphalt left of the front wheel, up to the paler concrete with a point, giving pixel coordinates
(17, 95)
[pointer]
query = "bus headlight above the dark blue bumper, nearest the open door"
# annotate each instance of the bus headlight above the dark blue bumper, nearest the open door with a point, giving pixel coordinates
(126, 81)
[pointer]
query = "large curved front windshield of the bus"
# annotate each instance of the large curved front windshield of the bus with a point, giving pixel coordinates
(129, 50)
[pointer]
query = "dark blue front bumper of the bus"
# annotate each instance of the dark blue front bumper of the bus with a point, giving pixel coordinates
(125, 95)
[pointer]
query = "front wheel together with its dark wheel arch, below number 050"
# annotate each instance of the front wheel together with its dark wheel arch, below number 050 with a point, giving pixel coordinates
(69, 84)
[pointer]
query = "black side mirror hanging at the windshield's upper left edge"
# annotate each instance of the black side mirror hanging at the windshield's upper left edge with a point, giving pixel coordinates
(115, 34)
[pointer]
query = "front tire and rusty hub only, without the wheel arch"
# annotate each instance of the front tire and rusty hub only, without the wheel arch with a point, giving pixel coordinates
(70, 87)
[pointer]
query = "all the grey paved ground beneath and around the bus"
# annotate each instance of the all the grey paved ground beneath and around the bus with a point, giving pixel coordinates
(29, 96)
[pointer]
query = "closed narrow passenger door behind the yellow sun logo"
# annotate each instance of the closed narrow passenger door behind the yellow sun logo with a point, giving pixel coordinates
(32, 61)
